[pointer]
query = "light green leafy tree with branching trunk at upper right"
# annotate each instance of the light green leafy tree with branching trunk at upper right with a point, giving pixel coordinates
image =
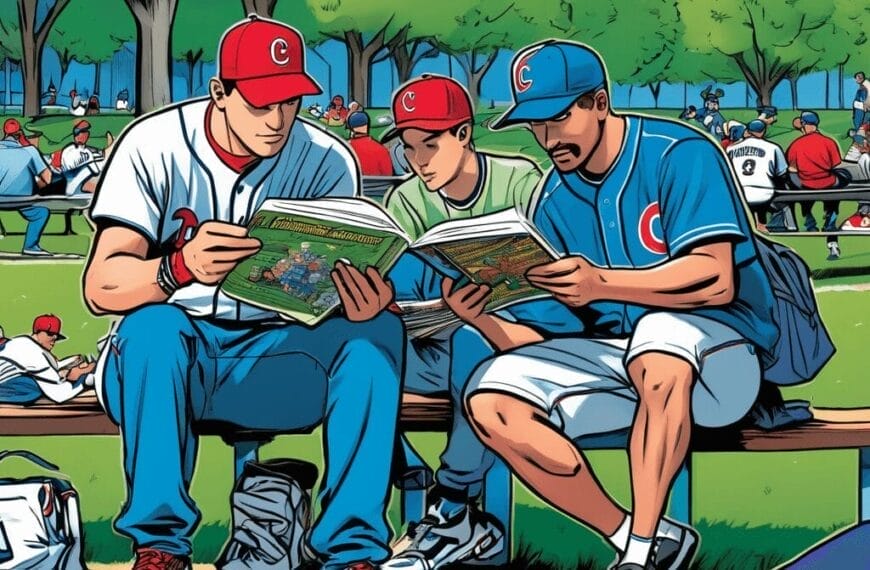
(769, 40)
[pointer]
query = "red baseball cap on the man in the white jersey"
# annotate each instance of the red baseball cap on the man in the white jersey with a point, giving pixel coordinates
(266, 59)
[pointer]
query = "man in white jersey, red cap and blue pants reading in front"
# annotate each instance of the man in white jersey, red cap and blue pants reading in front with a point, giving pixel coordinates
(171, 224)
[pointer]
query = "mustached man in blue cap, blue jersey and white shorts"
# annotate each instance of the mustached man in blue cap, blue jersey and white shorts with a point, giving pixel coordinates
(660, 266)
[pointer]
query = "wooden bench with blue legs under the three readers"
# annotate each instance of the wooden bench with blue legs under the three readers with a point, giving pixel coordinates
(831, 429)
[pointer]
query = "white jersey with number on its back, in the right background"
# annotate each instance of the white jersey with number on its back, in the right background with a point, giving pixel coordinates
(756, 161)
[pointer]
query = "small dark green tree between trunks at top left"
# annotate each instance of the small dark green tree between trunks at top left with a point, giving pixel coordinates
(78, 36)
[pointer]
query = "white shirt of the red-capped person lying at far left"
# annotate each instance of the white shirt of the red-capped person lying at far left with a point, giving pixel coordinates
(23, 356)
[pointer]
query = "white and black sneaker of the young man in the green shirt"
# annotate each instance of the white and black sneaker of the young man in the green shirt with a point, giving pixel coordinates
(437, 541)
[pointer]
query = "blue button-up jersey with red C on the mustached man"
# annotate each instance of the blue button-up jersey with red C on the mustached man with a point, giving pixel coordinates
(669, 190)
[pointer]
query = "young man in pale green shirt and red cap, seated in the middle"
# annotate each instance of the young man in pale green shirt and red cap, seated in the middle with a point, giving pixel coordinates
(453, 180)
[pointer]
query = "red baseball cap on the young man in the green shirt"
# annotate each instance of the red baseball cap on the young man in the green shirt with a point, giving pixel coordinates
(430, 103)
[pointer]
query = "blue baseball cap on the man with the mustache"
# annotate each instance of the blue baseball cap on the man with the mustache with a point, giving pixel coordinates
(547, 77)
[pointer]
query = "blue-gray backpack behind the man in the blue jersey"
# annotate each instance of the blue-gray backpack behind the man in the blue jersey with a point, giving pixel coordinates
(804, 345)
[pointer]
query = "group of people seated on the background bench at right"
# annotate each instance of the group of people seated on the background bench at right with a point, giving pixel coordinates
(811, 162)
